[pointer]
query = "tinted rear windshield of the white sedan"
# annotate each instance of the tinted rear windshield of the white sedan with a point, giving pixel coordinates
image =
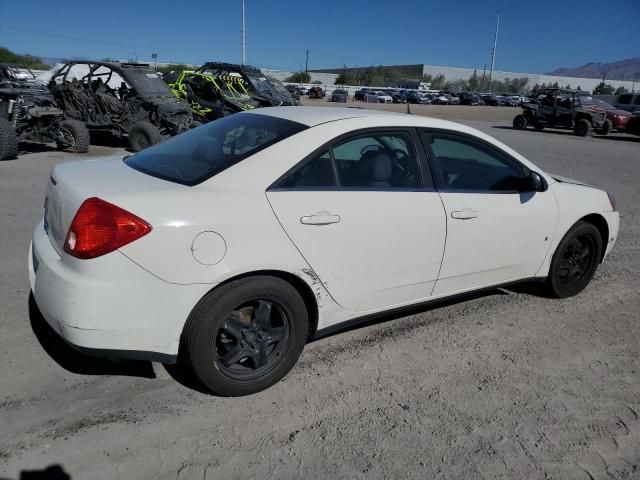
(197, 155)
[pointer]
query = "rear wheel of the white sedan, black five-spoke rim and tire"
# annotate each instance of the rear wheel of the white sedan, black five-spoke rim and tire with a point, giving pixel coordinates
(229, 336)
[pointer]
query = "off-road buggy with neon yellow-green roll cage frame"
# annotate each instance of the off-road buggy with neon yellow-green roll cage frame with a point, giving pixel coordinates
(210, 96)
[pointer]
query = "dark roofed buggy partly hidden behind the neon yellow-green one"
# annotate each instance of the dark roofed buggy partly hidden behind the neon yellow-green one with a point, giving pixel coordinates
(258, 85)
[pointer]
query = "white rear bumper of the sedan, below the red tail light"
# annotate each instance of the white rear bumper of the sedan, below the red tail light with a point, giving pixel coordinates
(111, 307)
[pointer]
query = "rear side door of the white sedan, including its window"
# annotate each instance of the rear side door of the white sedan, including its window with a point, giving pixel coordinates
(364, 214)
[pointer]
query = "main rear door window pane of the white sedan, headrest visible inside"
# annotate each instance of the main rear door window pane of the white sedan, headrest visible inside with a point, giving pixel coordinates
(377, 161)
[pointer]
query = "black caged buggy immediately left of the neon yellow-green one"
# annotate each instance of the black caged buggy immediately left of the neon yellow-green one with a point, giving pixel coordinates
(126, 99)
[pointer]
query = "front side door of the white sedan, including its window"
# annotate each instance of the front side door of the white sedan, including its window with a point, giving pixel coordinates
(496, 232)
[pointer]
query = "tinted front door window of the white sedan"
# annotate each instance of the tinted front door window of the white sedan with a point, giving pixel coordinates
(463, 164)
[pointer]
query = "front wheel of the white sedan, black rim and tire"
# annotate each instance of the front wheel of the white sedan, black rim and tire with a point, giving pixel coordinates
(575, 261)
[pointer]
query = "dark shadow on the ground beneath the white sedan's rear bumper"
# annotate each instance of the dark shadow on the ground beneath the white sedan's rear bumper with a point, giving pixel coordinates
(76, 362)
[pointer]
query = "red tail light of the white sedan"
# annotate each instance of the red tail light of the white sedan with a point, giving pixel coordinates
(100, 227)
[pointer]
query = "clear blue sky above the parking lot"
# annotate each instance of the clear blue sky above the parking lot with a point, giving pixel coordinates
(535, 36)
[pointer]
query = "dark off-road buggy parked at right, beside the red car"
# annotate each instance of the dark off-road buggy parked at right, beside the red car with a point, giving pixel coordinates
(554, 107)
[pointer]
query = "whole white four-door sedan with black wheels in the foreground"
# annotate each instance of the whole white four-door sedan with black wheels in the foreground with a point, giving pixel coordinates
(238, 241)
